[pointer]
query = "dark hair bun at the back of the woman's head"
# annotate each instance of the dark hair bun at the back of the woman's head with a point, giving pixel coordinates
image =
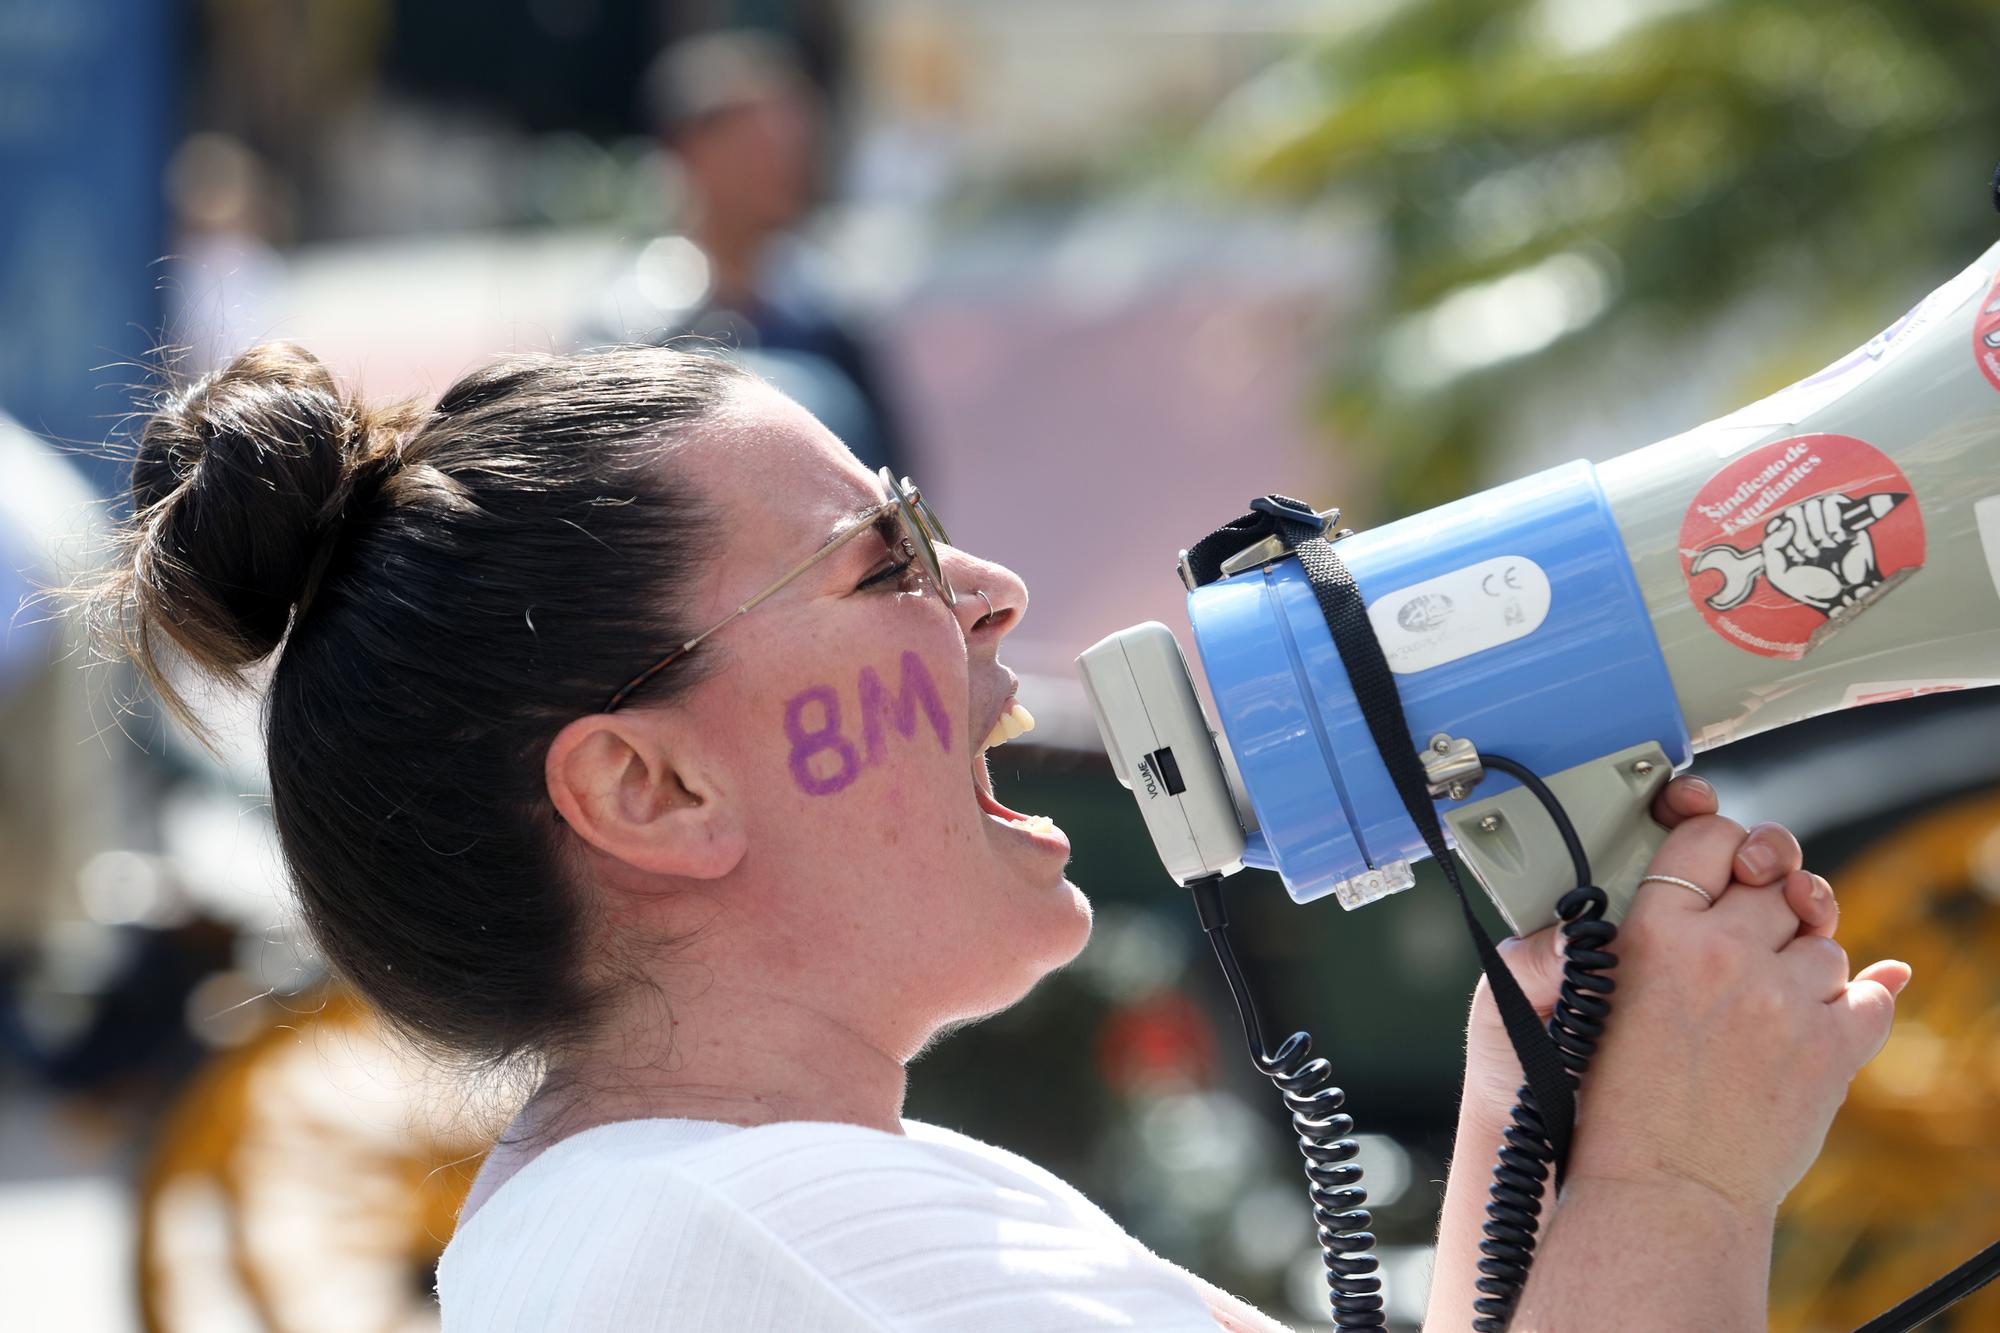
(239, 487)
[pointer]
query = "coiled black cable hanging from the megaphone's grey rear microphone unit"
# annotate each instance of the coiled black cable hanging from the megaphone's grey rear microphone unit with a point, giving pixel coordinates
(1323, 1136)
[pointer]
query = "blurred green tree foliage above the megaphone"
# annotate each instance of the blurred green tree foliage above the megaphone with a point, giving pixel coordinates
(1561, 179)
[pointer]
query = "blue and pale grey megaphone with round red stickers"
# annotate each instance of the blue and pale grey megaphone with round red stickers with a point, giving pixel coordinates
(1827, 547)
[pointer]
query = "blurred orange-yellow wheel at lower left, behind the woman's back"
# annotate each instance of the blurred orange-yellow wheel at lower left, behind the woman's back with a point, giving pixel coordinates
(305, 1182)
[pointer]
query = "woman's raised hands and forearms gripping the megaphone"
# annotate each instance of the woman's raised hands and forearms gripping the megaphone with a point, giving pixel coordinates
(1733, 1038)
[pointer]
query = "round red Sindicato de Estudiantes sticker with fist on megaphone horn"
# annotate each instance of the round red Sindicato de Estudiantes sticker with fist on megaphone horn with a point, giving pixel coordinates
(1791, 541)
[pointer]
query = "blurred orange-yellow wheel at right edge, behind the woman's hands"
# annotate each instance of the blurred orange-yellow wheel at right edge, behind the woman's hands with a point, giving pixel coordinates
(1909, 1184)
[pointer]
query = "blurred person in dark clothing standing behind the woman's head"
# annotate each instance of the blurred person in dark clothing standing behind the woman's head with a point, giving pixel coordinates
(747, 129)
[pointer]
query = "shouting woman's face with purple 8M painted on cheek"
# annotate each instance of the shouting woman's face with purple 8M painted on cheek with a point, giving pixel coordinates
(847, 726)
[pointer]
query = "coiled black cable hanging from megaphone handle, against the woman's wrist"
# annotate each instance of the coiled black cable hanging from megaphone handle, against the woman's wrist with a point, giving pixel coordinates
(1521, 1176)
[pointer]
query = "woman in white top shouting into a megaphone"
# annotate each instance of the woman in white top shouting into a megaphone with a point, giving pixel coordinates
(625, 724)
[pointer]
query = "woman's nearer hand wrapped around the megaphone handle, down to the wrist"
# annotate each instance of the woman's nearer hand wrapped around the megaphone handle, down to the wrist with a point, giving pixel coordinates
(1735, 1036)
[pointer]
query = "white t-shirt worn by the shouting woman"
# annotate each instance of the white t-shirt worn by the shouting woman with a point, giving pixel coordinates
(705, 1228)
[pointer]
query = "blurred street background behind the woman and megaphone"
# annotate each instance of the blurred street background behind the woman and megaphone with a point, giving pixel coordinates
(1093, 271)
